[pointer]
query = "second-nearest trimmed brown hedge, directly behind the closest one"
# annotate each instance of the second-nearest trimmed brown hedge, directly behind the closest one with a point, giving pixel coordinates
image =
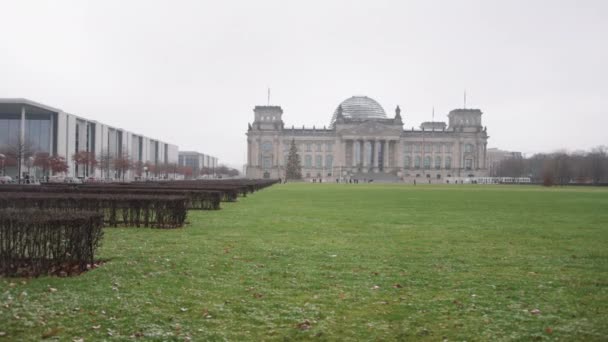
(117, 209)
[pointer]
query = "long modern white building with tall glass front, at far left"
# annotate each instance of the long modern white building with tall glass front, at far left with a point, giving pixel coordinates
(38, 128)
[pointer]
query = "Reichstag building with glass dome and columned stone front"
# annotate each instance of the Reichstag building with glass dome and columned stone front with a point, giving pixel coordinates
(362, 142)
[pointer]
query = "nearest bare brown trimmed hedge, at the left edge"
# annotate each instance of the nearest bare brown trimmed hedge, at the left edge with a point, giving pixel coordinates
(35, 242)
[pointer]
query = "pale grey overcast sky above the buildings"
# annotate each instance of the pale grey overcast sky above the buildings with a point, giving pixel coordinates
(190, 72)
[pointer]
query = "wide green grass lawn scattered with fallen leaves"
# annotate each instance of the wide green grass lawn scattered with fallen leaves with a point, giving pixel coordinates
(342, 262)
